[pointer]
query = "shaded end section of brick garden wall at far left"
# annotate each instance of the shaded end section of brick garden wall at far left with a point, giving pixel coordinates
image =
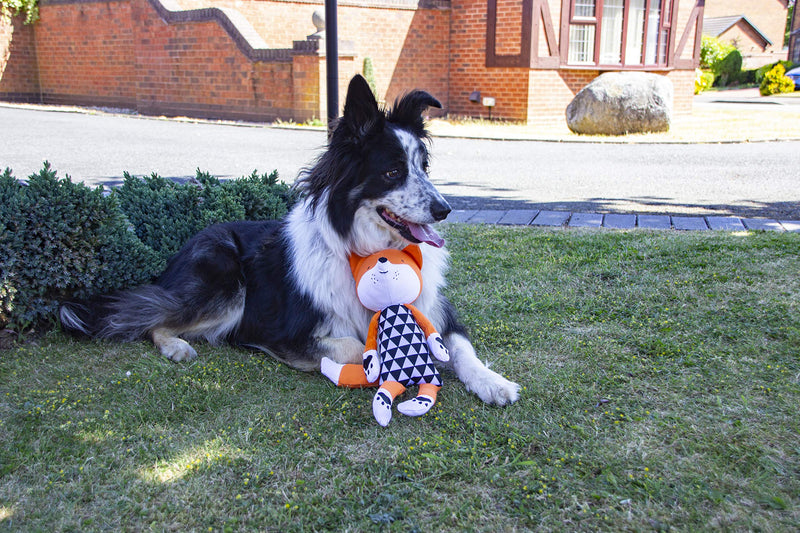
(19, 77)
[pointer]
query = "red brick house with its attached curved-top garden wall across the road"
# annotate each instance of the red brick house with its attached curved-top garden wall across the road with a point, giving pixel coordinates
(254, 59)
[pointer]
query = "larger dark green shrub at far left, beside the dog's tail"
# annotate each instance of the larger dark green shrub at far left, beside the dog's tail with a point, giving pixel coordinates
(59, 240)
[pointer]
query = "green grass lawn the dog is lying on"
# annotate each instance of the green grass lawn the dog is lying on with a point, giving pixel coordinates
(660, 377)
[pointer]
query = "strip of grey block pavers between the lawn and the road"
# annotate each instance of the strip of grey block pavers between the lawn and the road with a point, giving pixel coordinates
(533, 217)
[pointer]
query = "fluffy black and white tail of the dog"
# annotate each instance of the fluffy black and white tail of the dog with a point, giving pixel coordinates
(127, 316)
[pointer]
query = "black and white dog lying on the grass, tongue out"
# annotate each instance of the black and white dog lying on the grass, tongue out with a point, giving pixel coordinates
(285, 287)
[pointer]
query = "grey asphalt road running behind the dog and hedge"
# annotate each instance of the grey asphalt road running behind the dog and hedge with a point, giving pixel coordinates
(747, 180)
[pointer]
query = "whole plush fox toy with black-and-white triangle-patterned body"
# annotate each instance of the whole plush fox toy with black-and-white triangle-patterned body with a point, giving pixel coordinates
(400, 340)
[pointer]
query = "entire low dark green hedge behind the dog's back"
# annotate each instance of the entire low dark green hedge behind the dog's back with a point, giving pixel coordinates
(60, 239)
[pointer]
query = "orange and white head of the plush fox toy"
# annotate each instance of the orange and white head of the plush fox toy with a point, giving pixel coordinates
(388, 277)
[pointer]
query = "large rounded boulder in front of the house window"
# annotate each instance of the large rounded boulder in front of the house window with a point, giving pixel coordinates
(616, 103)
